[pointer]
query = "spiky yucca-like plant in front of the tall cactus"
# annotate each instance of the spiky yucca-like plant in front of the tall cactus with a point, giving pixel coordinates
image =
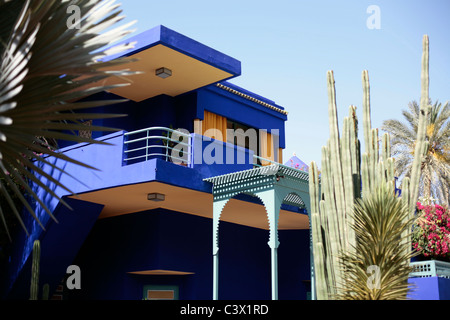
(378, 268)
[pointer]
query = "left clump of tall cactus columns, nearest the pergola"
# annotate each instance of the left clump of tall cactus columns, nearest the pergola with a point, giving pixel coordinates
(340, 185)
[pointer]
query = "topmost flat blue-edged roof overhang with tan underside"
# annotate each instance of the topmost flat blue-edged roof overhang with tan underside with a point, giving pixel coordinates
(193, 65)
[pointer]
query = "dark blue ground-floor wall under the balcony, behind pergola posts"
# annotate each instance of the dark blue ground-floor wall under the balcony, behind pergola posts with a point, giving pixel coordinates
(162, 239)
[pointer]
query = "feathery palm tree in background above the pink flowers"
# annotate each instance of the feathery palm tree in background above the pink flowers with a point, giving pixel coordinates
(435, 169)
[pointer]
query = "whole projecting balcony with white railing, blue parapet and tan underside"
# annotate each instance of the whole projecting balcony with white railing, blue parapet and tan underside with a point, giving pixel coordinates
(132, 163)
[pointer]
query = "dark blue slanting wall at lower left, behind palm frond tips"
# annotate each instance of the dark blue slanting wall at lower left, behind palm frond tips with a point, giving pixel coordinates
(59, 245)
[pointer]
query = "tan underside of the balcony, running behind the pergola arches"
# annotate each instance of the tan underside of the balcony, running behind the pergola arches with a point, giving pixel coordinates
(133, 198)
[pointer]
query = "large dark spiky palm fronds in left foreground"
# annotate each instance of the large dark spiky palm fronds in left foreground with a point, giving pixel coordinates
(47, 64)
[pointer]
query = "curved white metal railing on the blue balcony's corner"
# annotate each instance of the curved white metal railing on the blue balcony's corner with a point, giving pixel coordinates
(156, 142)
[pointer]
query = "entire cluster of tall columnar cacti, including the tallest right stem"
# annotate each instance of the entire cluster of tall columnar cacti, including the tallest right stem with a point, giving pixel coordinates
(347, 175)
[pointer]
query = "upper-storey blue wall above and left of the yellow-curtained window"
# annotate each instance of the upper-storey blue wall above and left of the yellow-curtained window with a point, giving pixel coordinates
(180, 112)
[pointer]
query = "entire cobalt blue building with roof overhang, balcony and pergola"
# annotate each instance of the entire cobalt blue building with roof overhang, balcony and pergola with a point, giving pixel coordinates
(145, 225)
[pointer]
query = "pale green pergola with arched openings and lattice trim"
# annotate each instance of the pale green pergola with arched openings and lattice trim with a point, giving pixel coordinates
(273, 185)
